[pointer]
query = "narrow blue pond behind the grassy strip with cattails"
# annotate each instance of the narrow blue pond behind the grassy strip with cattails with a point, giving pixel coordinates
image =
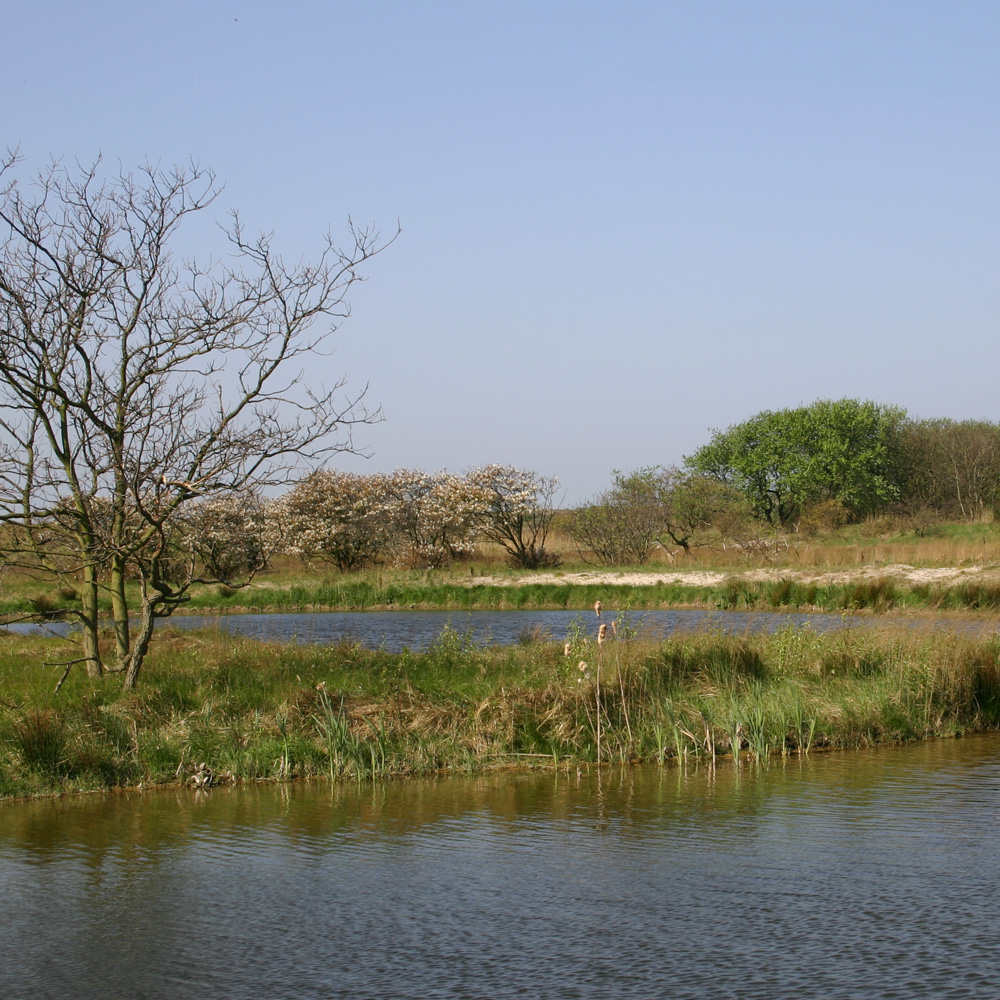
(396, 630)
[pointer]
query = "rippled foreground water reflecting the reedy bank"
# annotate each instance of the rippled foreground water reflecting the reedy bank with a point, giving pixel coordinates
(835, 876)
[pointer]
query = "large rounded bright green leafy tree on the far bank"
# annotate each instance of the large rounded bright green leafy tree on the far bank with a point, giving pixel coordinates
(846, 450)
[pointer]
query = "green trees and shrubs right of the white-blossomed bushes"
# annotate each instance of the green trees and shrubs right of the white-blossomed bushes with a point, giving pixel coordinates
(808, 468)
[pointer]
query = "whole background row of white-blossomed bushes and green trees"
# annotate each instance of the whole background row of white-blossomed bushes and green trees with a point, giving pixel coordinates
(807, 469)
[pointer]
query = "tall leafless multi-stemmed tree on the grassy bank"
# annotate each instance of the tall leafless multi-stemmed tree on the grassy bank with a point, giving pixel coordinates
(132, 384)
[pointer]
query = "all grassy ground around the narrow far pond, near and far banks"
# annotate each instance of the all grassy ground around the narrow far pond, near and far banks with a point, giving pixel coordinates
(212, 708)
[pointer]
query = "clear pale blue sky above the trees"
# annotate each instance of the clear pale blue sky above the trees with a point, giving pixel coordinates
(622, 225)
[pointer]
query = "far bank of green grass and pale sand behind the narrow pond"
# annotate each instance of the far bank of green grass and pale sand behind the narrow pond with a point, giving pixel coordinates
(895, 587)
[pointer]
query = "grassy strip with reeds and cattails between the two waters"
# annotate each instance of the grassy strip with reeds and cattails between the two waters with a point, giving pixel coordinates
(253, 711)
